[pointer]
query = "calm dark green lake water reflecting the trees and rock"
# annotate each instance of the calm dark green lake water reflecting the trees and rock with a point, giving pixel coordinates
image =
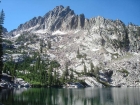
(87, 96)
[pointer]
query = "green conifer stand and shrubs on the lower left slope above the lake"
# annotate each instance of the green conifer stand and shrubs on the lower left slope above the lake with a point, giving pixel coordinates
(38, 72)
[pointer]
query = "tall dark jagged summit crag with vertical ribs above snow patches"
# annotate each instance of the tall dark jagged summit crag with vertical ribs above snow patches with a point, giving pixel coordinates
(59, 18)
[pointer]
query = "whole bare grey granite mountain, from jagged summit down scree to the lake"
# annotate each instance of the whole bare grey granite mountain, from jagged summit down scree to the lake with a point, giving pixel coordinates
(108, 44)
